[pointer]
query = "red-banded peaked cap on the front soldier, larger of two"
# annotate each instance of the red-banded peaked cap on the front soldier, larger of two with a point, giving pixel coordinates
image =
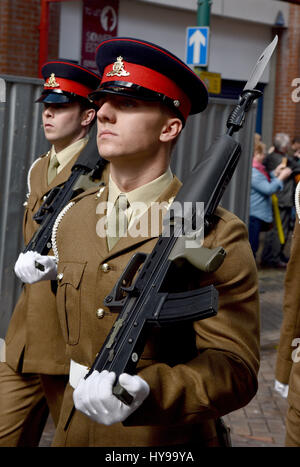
(147, 71)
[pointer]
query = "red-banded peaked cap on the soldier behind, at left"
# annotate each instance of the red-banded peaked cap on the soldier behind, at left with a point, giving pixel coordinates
(66, 82)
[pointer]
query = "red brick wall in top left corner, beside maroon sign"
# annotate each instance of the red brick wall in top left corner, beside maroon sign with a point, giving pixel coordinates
(19, 36)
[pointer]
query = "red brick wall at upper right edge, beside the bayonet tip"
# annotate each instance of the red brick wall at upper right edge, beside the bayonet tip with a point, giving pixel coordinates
(287, 112)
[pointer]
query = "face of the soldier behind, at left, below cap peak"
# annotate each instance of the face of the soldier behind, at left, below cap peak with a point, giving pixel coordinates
(62, 122)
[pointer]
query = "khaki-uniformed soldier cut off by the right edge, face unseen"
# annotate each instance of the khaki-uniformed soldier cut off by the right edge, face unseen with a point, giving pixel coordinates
(287, 371)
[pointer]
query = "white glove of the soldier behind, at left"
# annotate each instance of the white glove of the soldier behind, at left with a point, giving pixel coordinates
(28, 267)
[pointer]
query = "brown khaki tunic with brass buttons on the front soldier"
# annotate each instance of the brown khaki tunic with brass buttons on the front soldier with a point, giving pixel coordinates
(196, 372)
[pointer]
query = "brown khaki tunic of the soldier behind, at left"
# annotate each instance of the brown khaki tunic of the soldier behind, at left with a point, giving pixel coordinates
(34, 342)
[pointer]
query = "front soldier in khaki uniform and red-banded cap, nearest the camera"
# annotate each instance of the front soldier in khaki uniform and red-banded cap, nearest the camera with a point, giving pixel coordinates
(188, 375)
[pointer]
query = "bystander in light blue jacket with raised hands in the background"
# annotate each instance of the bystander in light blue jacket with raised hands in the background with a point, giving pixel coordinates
(263, 185)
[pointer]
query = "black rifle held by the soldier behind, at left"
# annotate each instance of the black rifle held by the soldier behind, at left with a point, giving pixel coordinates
(85, 173)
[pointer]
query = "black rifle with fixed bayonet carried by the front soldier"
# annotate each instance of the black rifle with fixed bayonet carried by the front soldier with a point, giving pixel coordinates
(142, 304)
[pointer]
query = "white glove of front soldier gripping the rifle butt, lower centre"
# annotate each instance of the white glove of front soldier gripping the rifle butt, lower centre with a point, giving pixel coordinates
(93, 396)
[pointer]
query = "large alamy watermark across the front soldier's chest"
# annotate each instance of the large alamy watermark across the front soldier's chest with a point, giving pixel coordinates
(179, 219)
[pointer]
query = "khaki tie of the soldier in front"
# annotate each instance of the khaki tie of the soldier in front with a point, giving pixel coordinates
(117, 221)
